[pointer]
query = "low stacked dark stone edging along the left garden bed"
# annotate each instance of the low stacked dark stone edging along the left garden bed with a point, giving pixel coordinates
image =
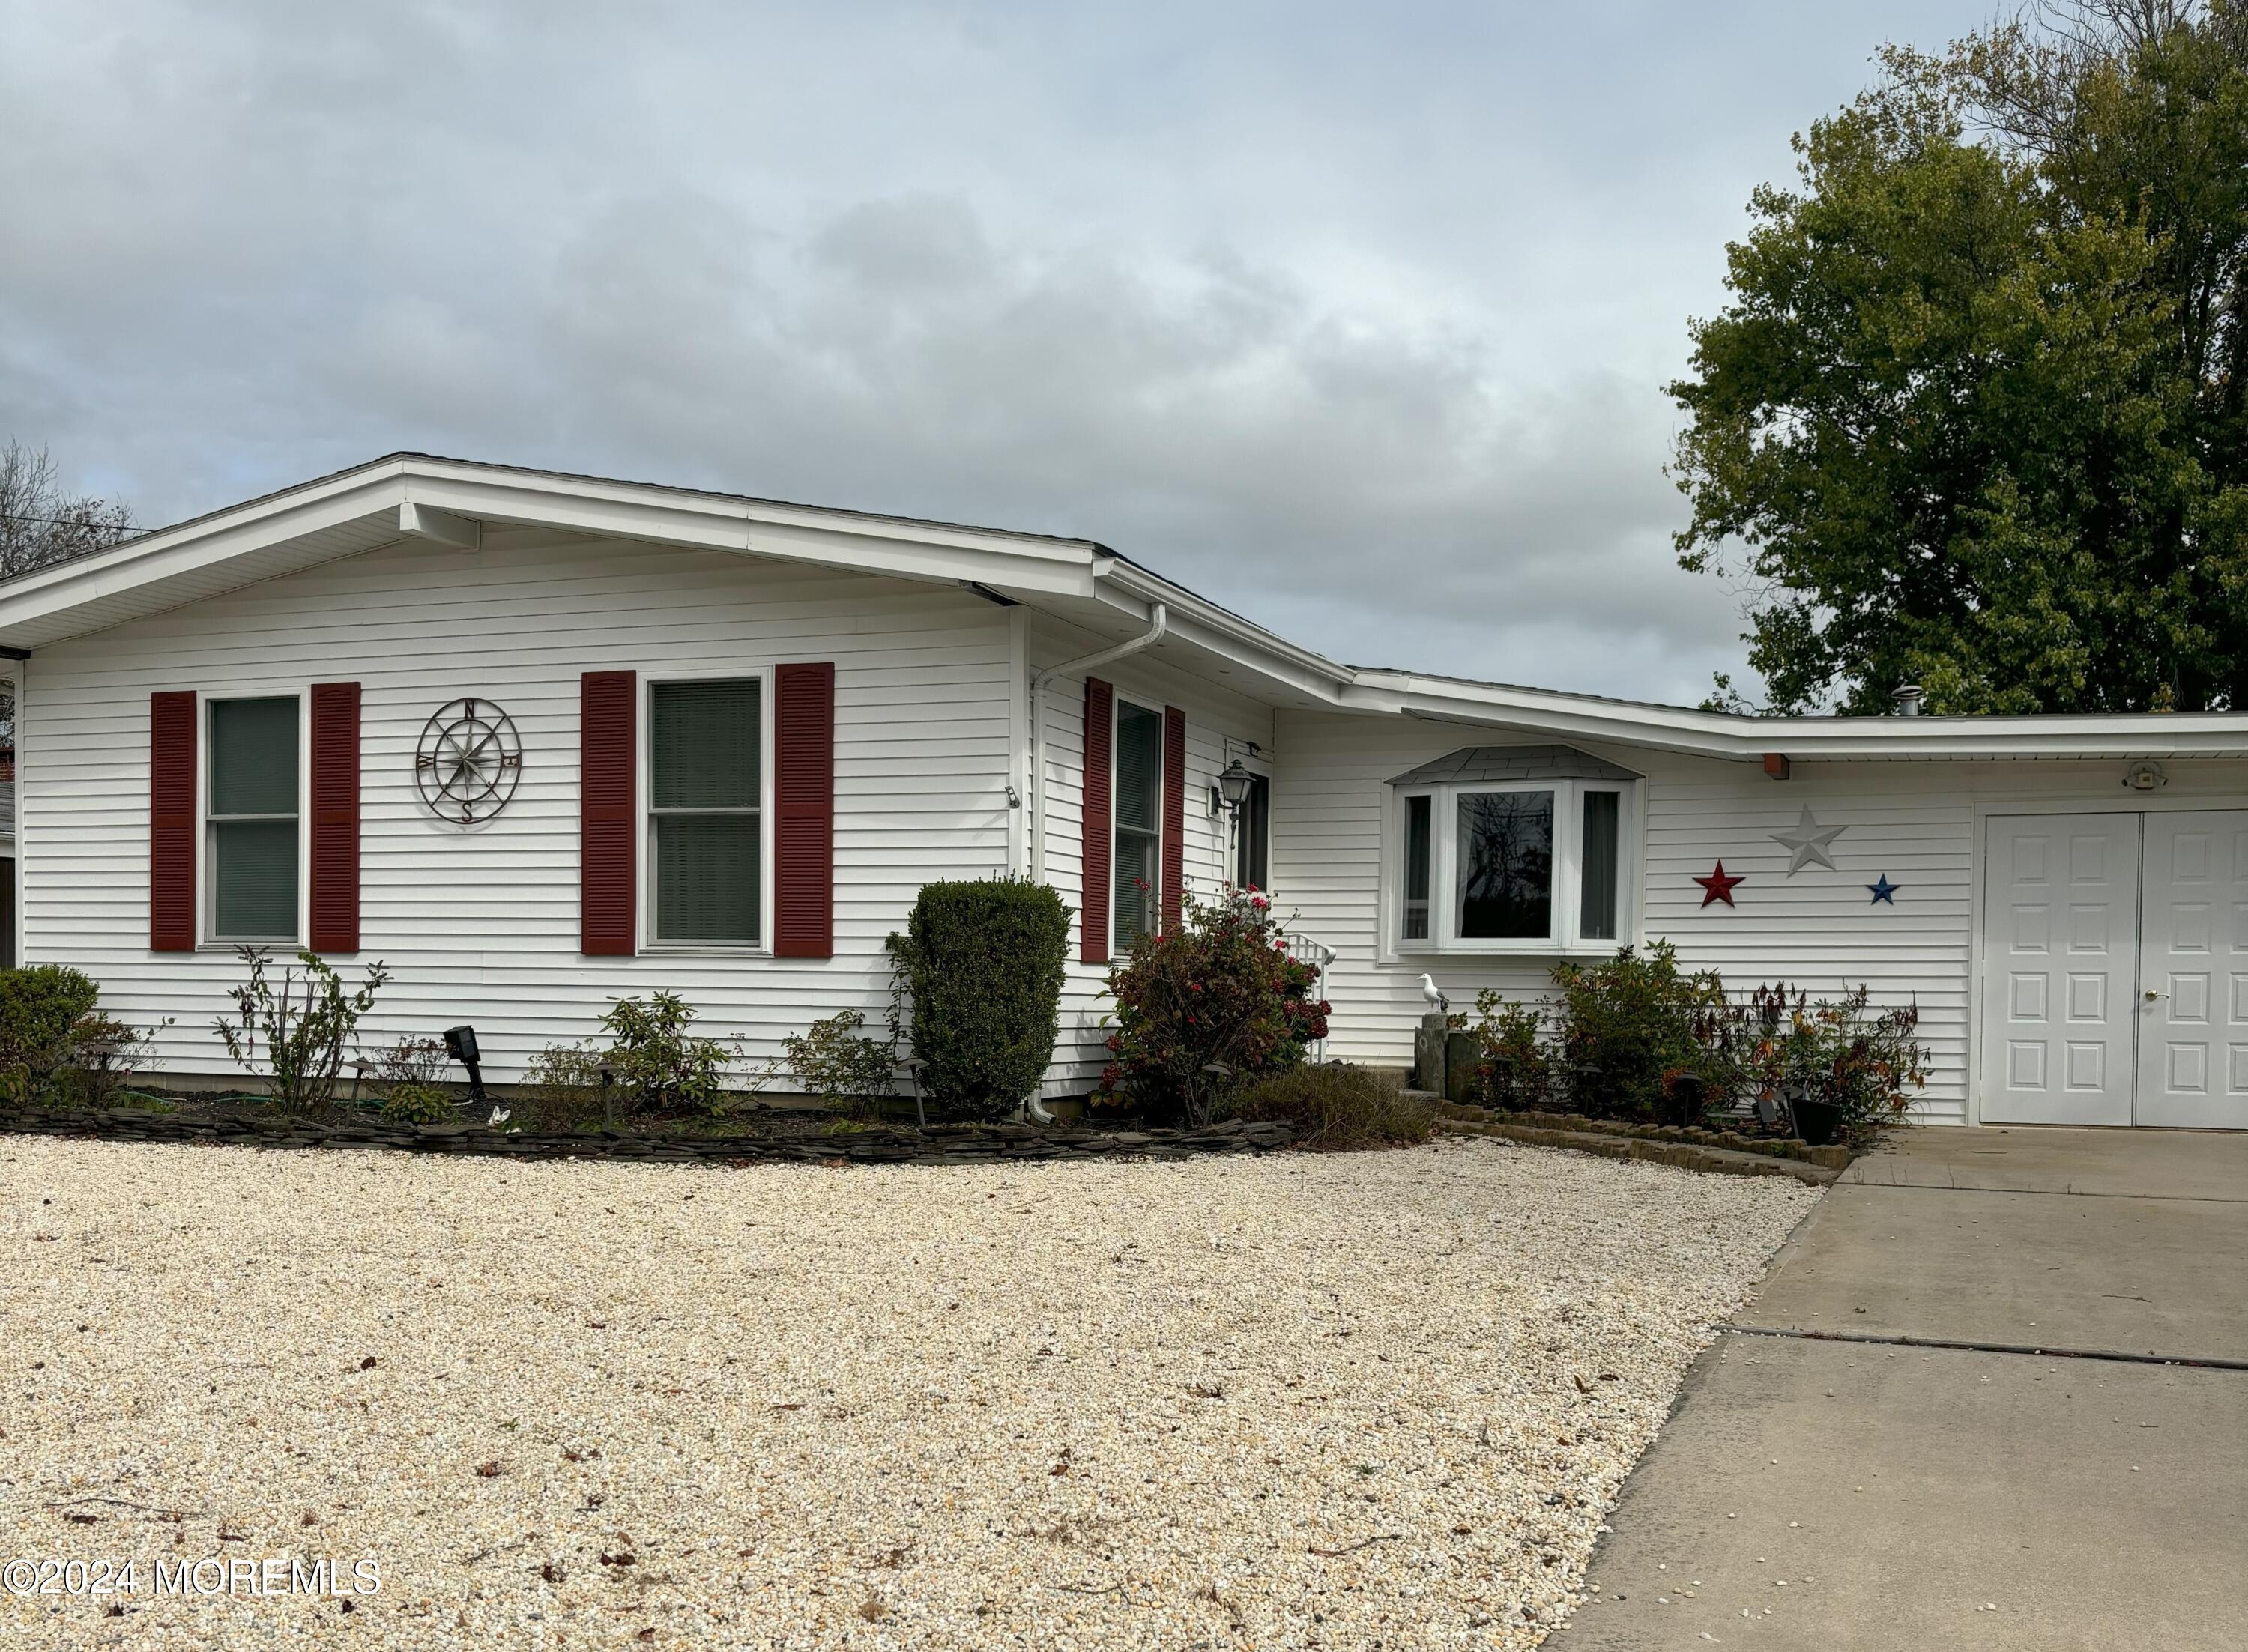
(943, 1145)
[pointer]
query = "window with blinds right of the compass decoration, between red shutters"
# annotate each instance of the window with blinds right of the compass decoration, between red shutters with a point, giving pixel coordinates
(707, 792)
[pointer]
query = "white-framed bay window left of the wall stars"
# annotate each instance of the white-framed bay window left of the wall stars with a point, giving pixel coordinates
(1514, 866)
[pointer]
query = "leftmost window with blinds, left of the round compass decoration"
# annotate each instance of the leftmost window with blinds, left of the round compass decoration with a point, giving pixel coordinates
(253, 819)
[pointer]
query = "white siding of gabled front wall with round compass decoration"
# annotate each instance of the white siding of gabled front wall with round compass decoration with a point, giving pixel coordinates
(482, 923)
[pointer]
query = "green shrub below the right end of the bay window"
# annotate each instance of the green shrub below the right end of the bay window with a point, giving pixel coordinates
(1631, 1024)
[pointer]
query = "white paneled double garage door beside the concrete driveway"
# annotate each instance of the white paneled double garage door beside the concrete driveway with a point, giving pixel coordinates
(2116, 970)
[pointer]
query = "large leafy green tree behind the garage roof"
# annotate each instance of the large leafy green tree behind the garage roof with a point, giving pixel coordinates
(1975, 415)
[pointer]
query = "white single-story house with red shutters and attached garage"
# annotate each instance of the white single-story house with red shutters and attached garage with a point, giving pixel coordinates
(545, 741)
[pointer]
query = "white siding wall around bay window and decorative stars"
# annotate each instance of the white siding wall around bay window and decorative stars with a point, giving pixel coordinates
(1912, 822)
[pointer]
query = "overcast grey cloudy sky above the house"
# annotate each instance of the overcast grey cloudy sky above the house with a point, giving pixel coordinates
(1352, 318)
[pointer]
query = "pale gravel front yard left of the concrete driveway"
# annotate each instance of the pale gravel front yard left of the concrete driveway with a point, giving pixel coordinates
(1352, 1401)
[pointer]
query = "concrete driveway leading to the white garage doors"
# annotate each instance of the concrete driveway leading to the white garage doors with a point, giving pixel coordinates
(1995, 1395)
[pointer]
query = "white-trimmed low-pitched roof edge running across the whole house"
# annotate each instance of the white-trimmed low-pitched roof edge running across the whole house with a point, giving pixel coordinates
(1082, 581)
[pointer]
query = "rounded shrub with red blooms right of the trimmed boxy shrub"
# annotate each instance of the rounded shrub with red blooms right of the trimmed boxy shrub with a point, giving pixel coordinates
(1217, 990)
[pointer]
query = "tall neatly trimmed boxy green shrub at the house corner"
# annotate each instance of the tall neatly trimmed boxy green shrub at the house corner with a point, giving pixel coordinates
(981, 963)
